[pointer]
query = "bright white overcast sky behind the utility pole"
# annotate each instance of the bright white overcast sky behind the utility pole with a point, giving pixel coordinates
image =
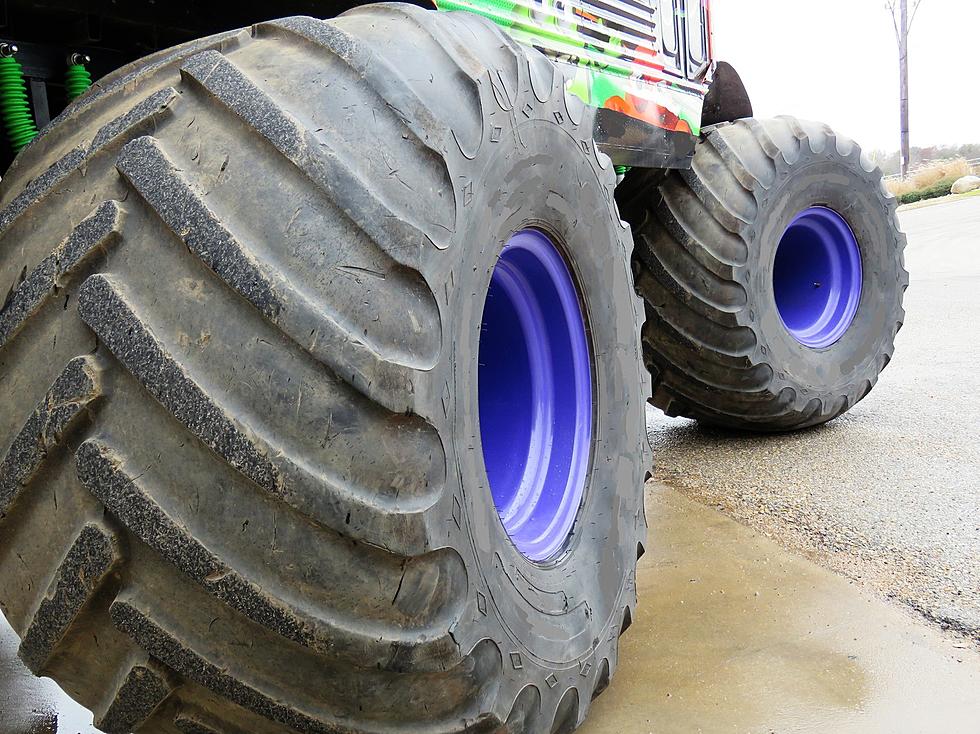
(837, 61)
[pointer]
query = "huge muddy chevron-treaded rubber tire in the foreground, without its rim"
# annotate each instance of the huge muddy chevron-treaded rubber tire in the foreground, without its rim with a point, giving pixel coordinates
(242, 485)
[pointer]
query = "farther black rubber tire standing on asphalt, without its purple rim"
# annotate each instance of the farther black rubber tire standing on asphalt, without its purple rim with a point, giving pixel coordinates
(706, 243)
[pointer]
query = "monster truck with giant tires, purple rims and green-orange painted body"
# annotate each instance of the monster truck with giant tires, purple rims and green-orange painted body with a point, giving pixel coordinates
(325, 349)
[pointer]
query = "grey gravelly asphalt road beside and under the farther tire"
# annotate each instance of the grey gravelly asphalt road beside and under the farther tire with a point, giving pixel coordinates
(888, 494)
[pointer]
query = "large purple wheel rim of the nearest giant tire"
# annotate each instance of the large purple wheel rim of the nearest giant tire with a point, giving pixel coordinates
(535, 395)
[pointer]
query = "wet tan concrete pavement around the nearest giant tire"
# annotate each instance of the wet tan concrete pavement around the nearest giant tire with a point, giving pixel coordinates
(733, 635)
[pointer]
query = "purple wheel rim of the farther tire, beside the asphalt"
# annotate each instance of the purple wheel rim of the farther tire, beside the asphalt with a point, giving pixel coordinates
(817, 277)
